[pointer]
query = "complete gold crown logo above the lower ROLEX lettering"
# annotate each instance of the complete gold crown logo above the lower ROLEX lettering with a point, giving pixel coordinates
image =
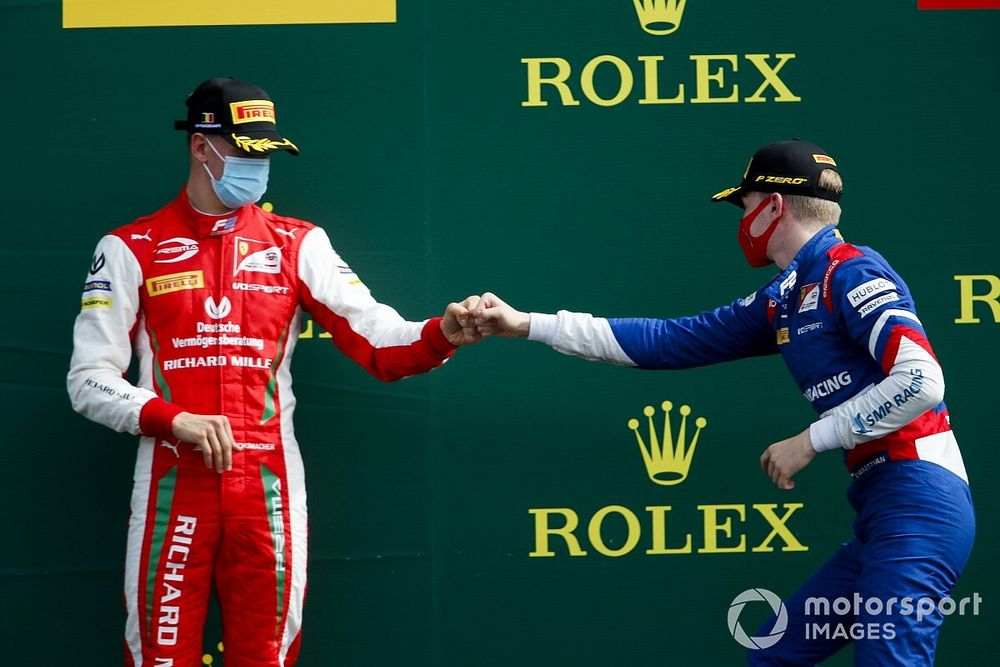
(667, 460)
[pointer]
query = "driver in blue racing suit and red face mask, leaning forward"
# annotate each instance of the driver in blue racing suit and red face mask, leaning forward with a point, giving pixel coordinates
(846, 326)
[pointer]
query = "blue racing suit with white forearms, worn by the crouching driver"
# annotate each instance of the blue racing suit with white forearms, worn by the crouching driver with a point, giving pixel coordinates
(846, 326)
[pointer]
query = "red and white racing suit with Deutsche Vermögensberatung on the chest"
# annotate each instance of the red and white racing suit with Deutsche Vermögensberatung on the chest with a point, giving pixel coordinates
(212, 307)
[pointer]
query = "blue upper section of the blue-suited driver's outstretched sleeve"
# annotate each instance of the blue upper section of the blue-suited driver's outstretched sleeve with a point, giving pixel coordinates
(741, 329)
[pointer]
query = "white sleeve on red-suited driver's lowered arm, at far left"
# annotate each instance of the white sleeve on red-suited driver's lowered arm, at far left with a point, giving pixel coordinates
(101, 340)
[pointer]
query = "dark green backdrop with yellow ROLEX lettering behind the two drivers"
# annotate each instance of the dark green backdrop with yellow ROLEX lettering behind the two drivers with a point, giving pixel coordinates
(435, 180)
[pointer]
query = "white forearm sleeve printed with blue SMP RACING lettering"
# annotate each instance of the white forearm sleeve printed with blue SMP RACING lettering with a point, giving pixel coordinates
(915, 384)
